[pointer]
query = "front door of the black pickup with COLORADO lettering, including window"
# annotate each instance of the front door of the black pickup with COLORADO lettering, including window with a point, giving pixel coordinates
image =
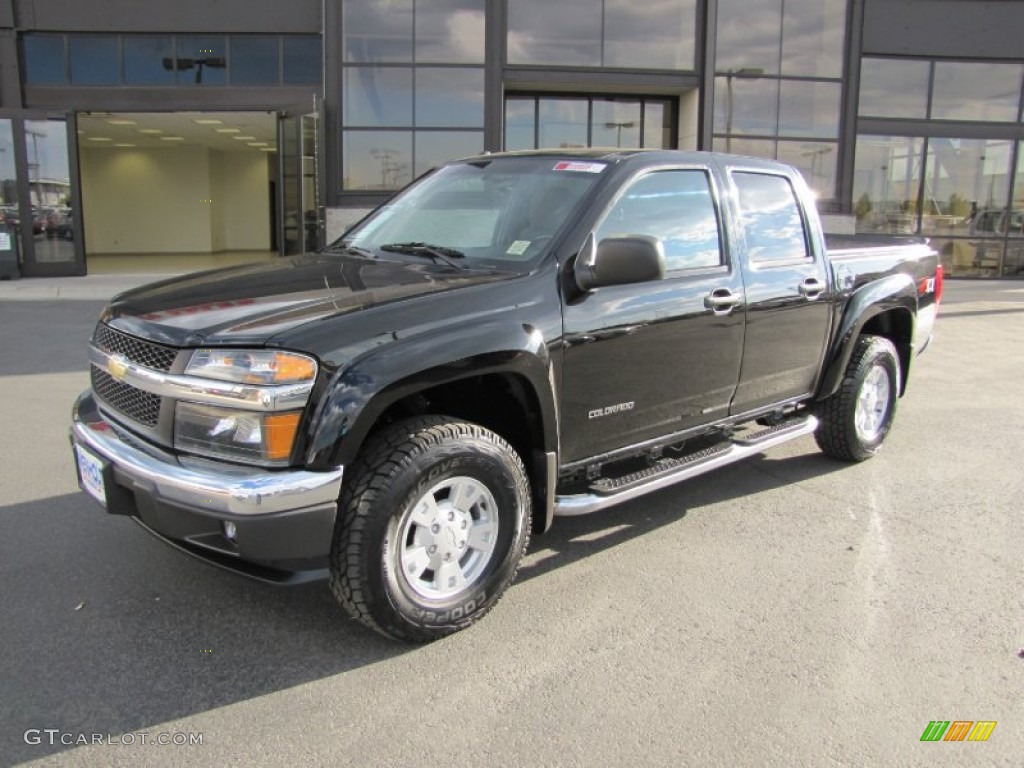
(648, 360)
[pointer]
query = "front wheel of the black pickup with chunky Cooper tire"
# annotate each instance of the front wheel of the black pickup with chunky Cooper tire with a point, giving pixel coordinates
(432, 529)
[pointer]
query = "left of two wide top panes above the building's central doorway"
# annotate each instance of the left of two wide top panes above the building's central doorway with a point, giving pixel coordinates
(556, 33)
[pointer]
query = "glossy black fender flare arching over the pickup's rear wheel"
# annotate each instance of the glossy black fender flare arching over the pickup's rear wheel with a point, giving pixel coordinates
(895, 293)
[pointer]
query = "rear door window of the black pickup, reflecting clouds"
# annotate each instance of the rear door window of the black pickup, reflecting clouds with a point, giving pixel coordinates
(773, 225)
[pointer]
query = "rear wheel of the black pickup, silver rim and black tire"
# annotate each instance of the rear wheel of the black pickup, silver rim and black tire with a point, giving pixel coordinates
(856, 421)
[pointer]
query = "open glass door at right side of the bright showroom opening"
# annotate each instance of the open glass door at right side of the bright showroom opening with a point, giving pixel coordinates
(302, 210)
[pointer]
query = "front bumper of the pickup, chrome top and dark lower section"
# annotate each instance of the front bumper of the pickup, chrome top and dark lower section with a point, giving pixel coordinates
(248, 520)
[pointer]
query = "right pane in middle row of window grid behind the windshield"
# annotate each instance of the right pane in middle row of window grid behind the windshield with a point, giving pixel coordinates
(450, 98)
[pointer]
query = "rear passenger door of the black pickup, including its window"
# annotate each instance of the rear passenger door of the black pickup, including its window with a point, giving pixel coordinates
(786, 281)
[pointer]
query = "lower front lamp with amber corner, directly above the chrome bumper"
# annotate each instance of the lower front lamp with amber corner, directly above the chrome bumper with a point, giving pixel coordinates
(240, 436)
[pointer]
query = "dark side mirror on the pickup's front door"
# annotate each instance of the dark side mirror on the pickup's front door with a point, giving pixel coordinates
(617, 262)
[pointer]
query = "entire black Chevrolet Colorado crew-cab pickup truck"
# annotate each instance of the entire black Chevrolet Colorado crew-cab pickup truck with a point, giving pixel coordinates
(511, 338)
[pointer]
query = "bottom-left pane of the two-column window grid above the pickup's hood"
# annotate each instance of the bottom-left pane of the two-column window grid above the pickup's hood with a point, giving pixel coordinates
(377, 160)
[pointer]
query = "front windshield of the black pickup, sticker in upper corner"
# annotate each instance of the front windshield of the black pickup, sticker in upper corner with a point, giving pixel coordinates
(502, 212)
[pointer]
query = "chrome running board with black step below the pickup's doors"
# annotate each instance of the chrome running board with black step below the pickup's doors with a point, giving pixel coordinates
(608, 493)
